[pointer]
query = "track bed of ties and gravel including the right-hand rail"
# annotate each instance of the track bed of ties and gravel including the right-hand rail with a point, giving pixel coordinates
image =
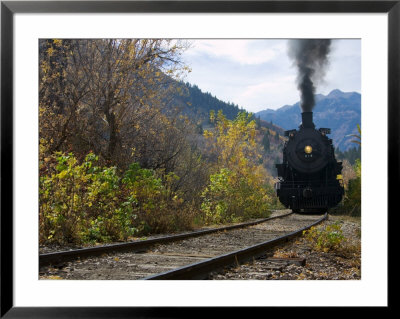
(190, 258)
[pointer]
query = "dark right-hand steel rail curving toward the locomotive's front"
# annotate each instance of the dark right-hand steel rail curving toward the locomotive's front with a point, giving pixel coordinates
(202, 269)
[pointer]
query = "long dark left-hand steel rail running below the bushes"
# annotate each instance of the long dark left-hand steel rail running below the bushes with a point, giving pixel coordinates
(63, 256)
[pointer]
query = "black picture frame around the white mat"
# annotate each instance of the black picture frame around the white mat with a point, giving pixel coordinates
(9, 8)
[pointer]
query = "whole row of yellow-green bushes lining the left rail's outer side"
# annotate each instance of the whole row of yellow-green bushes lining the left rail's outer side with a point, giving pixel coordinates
(81, 203)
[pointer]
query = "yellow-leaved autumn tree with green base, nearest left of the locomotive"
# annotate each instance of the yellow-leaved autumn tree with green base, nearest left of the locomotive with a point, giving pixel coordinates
(238, 188)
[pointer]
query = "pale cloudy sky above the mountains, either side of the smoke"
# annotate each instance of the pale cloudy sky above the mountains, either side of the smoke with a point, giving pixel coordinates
(258, 74)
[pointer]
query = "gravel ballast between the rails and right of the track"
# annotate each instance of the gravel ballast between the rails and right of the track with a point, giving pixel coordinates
(339, 264)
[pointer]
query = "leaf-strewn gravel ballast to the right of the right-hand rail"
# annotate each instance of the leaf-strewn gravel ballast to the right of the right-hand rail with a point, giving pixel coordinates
(338, 264)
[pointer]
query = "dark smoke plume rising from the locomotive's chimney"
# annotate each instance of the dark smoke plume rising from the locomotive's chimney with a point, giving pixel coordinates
(311, 58)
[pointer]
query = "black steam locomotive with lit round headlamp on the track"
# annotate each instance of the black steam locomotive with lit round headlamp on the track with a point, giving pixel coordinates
(310, 177)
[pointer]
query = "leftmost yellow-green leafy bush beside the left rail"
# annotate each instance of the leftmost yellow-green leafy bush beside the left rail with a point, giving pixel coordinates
(83, 202)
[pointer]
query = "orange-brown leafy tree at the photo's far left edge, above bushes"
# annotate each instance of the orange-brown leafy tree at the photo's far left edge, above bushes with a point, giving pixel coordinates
(62, 89)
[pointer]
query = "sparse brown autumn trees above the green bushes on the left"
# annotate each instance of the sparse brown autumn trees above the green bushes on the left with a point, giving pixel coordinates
(114, 98)
